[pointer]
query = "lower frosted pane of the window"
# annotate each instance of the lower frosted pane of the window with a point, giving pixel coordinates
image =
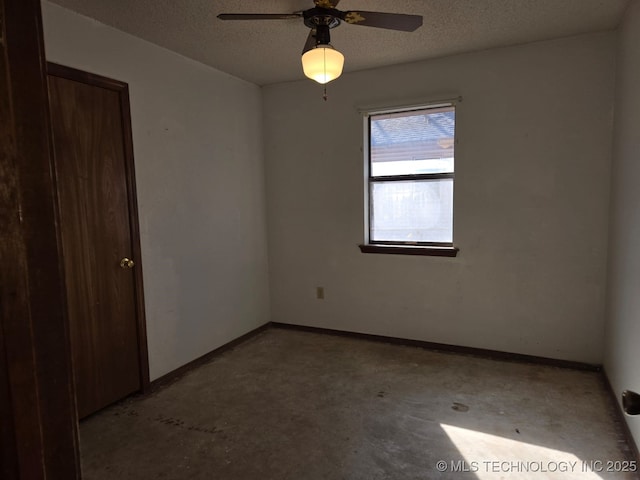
(412, 211)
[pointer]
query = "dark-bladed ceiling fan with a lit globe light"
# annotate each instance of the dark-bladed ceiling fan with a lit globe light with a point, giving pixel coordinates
(320, 61)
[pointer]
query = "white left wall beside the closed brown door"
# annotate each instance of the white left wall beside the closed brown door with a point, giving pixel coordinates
(197, 137)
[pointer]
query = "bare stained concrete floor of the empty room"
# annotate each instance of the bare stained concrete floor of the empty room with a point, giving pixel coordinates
(304, 406)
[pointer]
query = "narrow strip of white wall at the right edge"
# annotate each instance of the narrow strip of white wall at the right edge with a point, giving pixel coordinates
(622, 361)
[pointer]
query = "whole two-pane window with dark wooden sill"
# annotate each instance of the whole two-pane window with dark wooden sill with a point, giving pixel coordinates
(410, 181)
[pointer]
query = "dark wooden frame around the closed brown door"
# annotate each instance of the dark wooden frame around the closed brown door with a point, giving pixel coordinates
(122, 88)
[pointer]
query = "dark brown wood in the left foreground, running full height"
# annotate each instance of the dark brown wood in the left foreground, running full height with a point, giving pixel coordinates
(37, 411)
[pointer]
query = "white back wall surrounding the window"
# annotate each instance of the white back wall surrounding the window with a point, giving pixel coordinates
(531, 202)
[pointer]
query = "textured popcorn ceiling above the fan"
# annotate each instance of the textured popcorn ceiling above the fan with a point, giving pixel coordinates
(268, 51)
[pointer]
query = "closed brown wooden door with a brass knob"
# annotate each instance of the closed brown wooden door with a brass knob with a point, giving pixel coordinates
(99, 236)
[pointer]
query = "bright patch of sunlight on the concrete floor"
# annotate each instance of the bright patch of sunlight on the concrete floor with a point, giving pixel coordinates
(490, 457)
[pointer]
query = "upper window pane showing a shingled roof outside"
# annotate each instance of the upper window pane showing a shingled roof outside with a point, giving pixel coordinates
(415, 142)
